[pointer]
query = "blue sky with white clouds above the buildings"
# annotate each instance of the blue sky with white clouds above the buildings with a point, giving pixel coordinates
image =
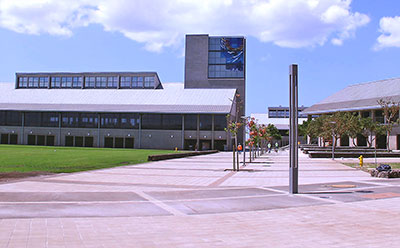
(335, 42)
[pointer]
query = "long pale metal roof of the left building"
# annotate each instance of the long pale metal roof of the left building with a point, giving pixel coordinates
(172, 99)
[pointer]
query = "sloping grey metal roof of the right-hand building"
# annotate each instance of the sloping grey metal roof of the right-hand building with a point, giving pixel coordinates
(358, 97)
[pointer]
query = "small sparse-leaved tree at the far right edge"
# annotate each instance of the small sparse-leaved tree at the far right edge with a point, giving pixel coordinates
(391, 113)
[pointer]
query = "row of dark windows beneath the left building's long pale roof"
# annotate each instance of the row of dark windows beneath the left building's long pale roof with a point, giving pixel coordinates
(111, 120)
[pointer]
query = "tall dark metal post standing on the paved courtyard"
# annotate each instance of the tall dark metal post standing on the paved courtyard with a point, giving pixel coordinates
(293, 135)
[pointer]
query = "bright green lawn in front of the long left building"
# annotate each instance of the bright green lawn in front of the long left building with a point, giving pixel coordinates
(18, 158)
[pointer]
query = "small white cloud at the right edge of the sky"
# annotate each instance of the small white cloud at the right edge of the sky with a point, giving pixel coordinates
(390, 29)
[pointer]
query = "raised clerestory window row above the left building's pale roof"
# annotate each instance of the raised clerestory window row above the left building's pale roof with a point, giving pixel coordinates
(89, 82)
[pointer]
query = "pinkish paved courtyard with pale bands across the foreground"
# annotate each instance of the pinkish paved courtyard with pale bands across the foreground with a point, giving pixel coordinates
(195, 202)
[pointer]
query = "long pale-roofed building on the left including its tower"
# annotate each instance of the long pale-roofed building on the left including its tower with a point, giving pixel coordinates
(129, 109)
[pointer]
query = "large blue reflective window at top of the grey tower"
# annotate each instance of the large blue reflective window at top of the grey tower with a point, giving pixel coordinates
(226, 57)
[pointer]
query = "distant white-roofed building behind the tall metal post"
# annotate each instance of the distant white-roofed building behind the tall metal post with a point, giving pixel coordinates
(279, 117)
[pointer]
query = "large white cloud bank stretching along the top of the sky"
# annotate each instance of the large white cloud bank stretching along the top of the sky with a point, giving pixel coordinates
(160, 23)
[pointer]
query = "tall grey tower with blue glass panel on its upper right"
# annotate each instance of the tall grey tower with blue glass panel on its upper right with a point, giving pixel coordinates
(217, 62)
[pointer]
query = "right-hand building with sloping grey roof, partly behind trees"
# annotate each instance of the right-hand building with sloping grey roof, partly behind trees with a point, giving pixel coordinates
(362, 99)
